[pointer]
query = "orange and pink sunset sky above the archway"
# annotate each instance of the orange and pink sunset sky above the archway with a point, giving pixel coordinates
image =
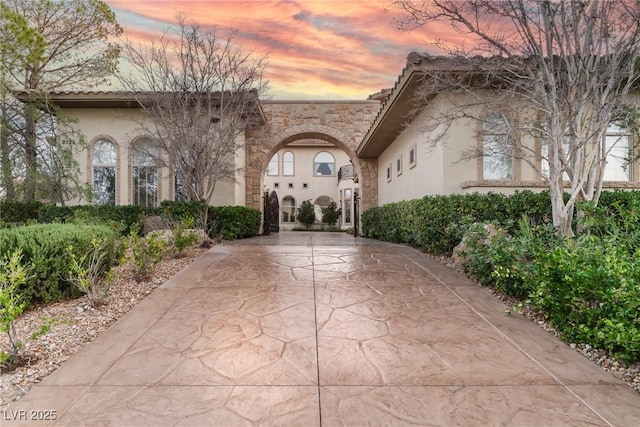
(316, 49)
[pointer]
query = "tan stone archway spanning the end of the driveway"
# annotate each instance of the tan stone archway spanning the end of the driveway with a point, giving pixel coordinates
(343, 123)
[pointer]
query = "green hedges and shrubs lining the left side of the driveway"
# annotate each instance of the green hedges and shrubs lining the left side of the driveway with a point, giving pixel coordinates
(41, 264)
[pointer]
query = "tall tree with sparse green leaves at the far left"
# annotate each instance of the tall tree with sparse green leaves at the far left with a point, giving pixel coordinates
(50, 46)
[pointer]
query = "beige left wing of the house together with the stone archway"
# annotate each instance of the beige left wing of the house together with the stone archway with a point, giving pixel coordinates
(309, 161)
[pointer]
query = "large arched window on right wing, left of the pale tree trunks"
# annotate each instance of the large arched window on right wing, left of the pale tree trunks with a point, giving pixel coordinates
(497, 160)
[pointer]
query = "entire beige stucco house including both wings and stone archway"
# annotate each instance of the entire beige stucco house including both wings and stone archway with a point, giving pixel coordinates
(371, 152)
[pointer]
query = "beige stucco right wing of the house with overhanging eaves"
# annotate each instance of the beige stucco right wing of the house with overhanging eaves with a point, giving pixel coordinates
(410, 165)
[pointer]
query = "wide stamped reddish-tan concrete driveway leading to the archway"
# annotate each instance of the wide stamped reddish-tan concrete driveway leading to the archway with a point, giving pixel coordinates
(323, 329)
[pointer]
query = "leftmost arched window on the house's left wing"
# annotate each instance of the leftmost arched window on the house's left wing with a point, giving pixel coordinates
(104, 163)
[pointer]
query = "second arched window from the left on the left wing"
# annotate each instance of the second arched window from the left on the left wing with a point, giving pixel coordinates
(144, 171)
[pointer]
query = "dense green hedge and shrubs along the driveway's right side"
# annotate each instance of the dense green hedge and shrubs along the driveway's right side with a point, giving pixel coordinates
(587, 286)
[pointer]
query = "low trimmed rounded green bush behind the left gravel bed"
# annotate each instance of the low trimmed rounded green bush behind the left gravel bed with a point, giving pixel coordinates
(45, 246)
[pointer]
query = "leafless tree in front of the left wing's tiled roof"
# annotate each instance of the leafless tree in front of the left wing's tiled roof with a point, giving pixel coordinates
(200, 95)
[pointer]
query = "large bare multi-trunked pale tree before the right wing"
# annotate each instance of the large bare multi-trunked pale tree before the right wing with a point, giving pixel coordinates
(557, 70)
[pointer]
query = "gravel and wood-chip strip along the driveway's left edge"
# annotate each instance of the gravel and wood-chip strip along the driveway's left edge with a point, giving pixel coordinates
(53, 333)
